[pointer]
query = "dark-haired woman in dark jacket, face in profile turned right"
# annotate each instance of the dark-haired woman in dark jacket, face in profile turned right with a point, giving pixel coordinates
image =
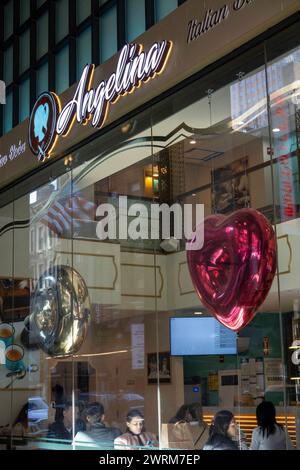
(222, 432)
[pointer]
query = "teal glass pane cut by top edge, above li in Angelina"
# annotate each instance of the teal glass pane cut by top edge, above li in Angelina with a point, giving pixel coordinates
(135, 18)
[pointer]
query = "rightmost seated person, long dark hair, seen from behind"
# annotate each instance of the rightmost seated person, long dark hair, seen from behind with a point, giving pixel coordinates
(269, 435)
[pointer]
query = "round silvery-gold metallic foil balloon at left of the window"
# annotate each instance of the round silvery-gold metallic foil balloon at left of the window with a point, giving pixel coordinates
(60, 311)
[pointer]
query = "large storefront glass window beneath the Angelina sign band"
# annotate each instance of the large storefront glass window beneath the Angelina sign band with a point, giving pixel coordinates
(116, 326)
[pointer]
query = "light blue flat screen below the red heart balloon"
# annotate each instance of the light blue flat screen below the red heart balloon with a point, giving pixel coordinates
(200, 336)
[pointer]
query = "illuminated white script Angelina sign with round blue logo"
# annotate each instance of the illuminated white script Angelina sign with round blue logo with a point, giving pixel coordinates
(134, 68)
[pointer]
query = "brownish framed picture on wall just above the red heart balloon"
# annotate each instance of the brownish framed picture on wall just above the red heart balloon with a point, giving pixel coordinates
(230, 187)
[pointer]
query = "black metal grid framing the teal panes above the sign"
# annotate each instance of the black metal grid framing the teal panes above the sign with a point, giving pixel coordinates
(53, 48)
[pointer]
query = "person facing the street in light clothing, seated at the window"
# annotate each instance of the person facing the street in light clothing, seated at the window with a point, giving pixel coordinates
(136, 436)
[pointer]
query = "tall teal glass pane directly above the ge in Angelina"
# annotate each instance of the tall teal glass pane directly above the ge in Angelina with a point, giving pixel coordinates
(108, 34)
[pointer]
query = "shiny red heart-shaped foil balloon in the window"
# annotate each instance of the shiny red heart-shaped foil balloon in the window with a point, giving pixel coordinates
(233, 272)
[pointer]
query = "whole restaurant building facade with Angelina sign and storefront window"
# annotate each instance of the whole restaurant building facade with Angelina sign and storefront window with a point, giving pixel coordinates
(99, 301)
